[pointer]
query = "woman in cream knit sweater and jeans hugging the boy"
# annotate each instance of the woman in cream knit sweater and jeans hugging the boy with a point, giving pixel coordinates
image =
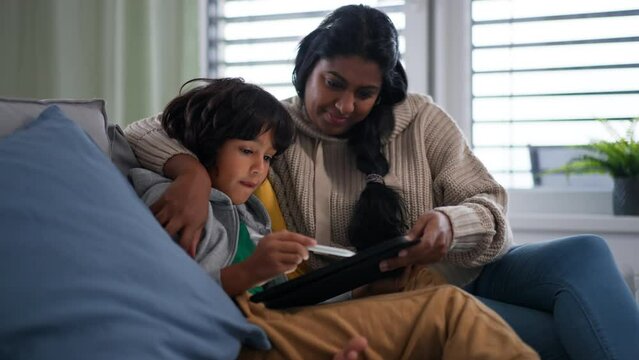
(370, 162)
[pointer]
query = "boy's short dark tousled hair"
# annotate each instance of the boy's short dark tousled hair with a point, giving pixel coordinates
(206, 116)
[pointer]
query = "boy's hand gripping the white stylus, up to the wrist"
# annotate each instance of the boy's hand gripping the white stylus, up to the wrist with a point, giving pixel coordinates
(277, 253)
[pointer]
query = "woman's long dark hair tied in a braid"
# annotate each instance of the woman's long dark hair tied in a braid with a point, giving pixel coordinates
(359, 30)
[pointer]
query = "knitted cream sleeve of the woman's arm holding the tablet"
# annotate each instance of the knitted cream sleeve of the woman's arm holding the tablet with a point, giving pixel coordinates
(464, 190)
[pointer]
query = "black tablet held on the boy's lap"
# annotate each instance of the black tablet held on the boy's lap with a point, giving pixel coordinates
(335, 279)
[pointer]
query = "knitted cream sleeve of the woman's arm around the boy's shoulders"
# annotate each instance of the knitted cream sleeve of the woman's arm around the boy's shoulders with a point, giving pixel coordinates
(151, 145)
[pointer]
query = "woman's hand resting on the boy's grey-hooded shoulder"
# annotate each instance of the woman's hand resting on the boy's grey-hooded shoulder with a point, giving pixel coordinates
(184, 206)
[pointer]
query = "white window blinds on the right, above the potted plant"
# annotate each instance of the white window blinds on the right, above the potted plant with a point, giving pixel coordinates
(543, 71)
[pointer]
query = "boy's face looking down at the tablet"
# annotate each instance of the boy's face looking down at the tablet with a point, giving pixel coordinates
(241, 166)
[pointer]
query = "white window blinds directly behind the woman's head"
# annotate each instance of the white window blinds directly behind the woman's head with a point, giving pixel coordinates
(257, 39)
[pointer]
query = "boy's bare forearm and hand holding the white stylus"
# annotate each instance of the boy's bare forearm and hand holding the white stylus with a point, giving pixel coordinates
(277, 253)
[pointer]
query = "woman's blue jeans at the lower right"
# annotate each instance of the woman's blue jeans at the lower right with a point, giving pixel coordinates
(565, 298)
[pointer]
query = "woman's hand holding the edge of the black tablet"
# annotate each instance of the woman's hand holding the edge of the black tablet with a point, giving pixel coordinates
(435, 233)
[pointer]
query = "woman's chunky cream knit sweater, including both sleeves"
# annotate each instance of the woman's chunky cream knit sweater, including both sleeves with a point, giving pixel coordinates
(317, 183)
